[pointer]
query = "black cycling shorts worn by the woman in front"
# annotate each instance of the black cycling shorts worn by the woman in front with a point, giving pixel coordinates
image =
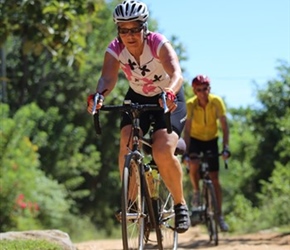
(148, 117)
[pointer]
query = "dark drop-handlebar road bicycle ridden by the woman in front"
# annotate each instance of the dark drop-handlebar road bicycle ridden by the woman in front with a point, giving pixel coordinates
(140, 213)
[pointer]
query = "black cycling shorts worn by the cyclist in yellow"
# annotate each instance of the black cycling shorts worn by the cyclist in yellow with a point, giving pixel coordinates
(197, 146)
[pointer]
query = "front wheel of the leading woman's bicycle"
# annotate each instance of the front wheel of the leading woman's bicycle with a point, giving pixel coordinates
(132, 206)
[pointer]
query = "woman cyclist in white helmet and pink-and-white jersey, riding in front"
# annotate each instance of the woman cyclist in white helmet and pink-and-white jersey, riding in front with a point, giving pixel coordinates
(150, 65)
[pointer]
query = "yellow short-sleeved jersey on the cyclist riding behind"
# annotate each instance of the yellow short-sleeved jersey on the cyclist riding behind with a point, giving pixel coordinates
(204, 122)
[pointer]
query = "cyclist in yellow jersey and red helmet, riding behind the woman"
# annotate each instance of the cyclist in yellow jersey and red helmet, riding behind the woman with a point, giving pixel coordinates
(204, 110)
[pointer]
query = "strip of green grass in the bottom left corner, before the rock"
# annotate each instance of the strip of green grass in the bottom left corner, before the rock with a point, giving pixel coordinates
(28, 245)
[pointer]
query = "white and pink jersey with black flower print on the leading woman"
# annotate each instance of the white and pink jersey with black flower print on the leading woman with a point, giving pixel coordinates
(146, 78)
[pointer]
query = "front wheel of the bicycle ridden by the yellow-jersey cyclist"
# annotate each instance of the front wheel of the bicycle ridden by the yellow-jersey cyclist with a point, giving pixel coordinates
(211, 212)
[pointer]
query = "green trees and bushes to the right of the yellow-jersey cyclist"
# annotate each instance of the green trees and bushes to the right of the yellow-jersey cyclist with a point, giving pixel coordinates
(256, 188)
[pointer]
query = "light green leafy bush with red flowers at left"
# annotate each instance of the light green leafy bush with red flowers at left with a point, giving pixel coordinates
(28, 198)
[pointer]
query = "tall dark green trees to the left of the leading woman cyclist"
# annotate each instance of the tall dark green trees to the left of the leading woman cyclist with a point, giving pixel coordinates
(54, 54)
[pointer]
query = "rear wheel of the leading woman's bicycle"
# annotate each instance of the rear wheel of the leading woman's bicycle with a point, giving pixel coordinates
(167, 237)
